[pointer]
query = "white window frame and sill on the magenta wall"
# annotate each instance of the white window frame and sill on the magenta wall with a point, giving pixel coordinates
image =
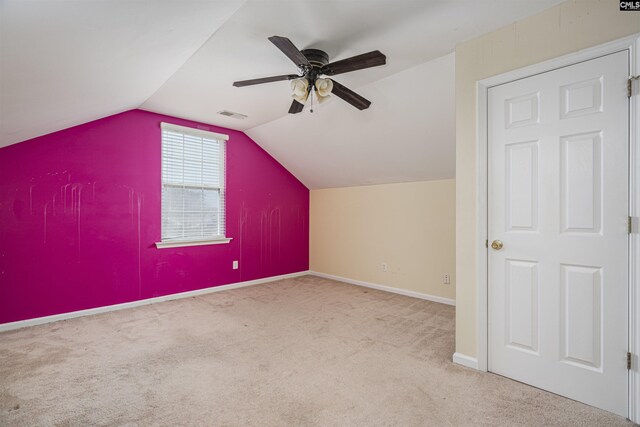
(198, 133)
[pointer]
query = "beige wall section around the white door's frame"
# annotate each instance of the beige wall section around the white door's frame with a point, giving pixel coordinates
(566, 28)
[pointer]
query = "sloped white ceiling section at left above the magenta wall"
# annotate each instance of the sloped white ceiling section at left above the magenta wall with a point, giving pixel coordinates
(63, 63)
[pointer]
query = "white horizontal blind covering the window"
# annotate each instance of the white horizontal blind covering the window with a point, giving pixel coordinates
(193, 184)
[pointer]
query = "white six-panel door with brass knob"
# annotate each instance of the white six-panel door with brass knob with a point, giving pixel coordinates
(558, 202)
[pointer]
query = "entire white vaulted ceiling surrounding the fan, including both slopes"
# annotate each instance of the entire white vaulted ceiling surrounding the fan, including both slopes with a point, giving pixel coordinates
(64, 63)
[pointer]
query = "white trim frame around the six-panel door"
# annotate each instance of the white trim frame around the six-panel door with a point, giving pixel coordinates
(632, 45)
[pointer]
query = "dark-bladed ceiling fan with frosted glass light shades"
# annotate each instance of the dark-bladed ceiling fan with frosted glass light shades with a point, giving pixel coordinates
(314, 63)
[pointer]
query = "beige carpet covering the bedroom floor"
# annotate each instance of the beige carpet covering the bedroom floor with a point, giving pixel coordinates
(298, 352)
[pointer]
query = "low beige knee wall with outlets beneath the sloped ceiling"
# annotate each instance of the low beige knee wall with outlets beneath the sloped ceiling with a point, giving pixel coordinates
(410, 226)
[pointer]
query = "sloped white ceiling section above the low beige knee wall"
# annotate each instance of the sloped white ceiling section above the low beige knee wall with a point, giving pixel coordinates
(408, 133)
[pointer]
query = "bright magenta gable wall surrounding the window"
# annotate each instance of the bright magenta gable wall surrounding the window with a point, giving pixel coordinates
(80, 213)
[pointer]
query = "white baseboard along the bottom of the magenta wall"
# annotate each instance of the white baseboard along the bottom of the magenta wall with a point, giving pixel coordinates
(63, 316)
